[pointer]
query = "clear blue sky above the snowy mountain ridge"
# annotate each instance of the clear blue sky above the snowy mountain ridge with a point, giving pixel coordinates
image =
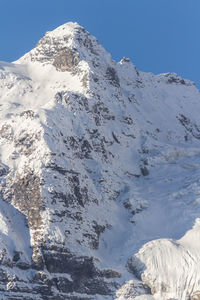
(158, 35)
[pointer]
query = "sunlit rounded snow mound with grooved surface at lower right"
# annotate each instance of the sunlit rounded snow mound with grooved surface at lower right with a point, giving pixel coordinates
(171, 268)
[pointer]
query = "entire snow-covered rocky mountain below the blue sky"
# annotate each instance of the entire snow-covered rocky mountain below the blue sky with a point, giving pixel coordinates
(99, 176)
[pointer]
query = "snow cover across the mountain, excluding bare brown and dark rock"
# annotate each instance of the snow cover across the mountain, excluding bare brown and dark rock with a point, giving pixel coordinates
(145, 121)
